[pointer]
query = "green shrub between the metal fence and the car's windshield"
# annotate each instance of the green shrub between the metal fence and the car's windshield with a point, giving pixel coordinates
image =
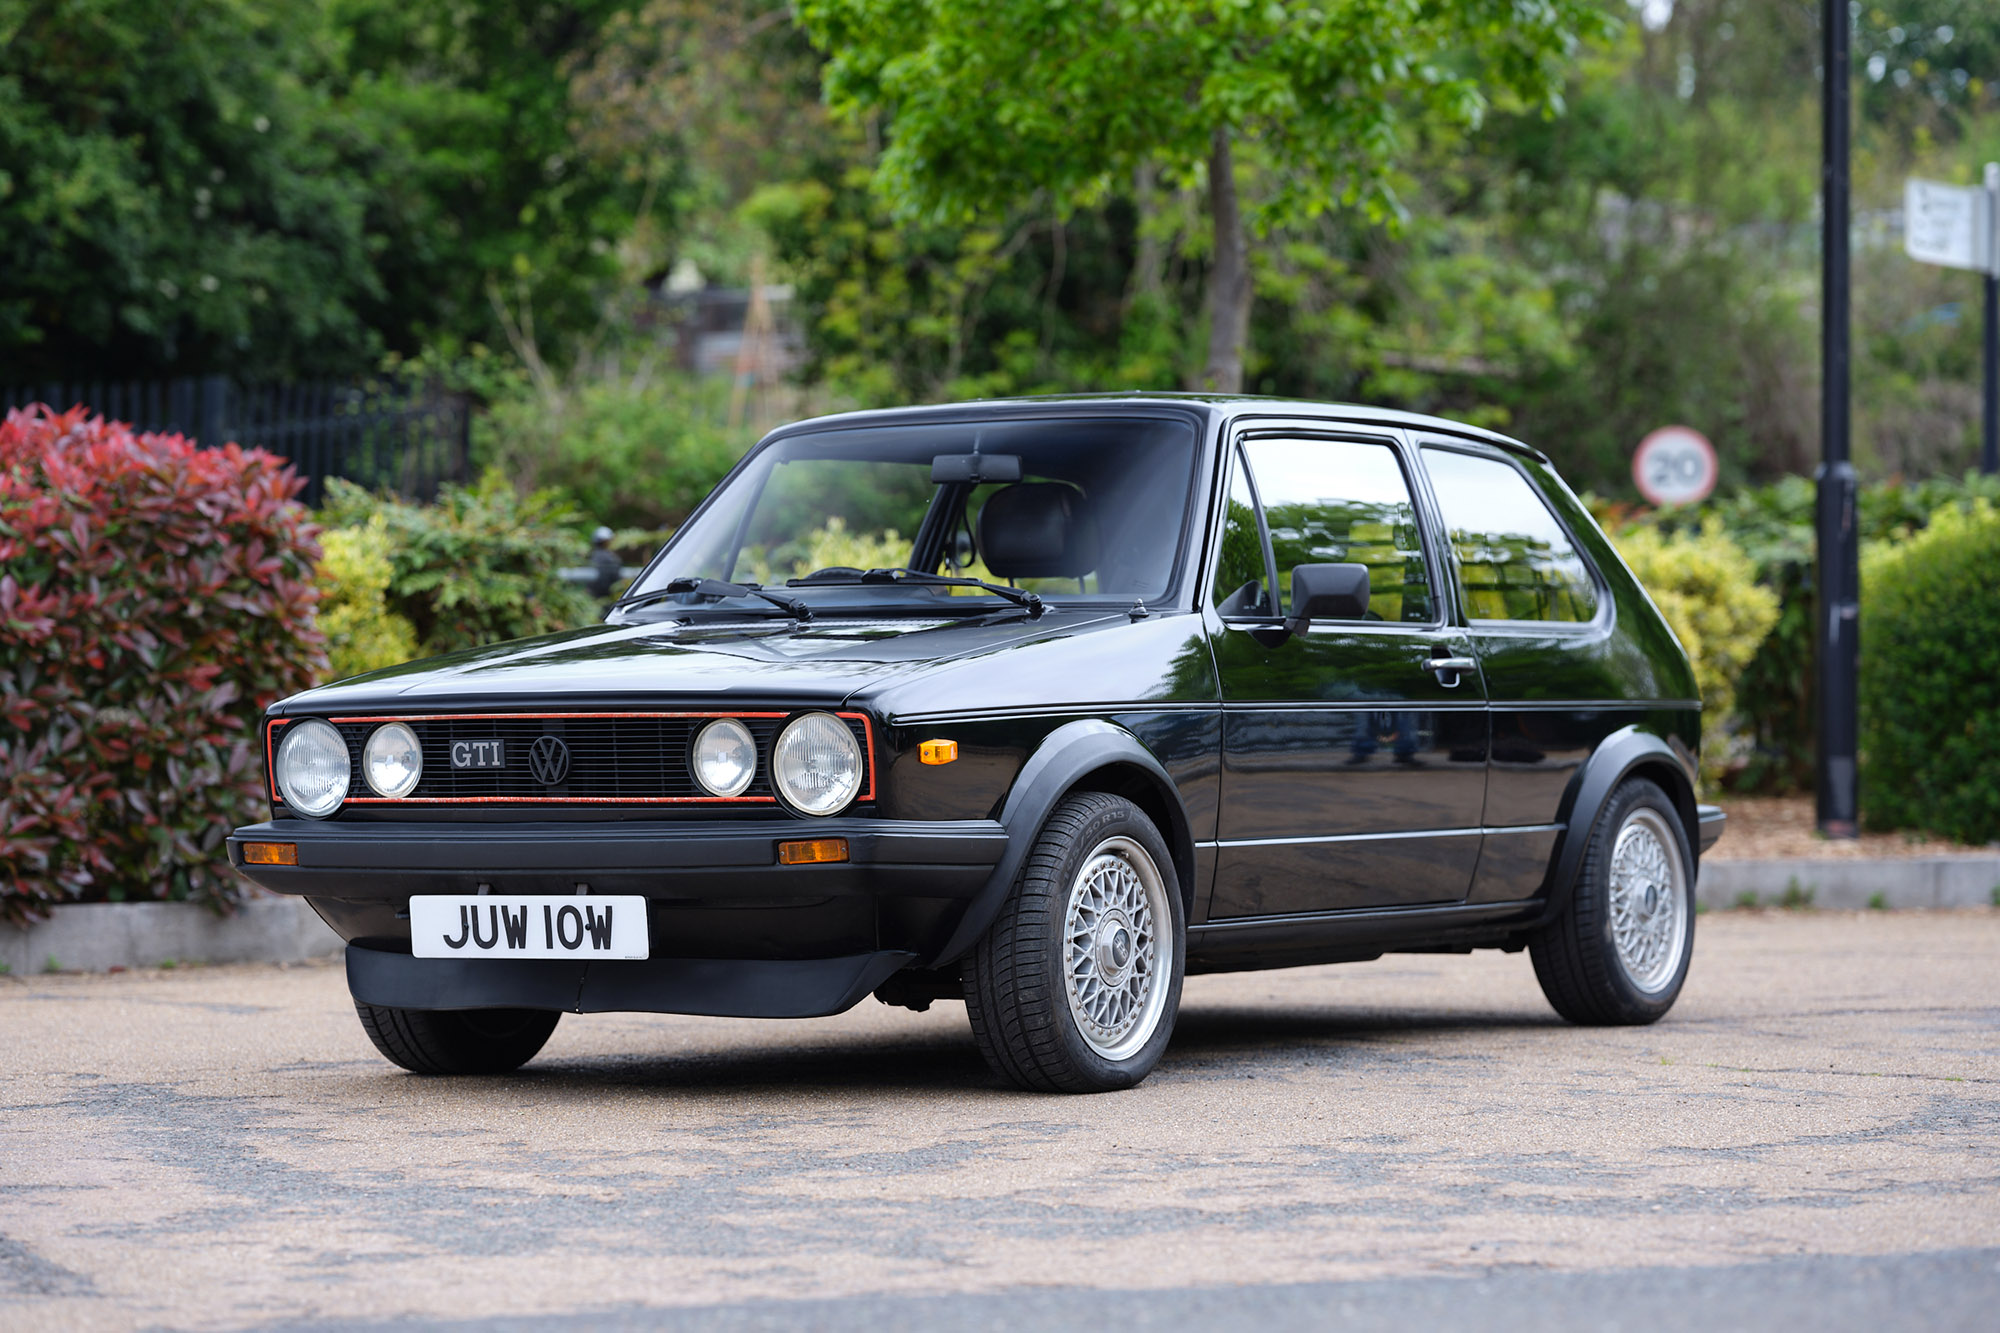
(629, 451)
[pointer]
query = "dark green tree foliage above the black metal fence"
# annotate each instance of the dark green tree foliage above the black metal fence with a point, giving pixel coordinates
(289, 187)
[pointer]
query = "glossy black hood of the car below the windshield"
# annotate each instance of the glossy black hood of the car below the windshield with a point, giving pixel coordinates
(731, 663)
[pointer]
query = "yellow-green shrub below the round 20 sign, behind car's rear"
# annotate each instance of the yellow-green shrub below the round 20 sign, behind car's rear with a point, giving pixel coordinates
(1707, 589)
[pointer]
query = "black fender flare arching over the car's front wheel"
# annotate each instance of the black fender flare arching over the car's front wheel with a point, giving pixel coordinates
(1067, 760)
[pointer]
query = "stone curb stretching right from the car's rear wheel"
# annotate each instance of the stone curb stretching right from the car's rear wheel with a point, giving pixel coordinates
(1855, 884)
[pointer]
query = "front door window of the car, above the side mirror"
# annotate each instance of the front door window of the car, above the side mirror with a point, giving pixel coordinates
(1343, 503)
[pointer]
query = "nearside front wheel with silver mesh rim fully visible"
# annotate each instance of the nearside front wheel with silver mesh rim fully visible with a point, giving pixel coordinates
(1041, 1010)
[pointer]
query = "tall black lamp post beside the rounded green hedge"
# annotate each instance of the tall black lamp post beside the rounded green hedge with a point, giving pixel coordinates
(1839, 583)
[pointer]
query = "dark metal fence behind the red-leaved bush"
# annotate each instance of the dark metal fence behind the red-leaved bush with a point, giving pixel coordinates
(379, 433)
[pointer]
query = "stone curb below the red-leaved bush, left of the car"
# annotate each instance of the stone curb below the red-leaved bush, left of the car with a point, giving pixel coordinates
(95, 938)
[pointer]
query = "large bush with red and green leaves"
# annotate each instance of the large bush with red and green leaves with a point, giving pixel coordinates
(155, 597)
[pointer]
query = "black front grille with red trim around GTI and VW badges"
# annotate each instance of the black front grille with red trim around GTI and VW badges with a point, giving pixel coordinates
(615, 758)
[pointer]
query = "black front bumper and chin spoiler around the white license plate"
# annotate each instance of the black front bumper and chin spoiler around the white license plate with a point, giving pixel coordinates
(731, 930)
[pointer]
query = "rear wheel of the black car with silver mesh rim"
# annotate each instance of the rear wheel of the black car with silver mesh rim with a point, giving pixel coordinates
(1619, 954)
